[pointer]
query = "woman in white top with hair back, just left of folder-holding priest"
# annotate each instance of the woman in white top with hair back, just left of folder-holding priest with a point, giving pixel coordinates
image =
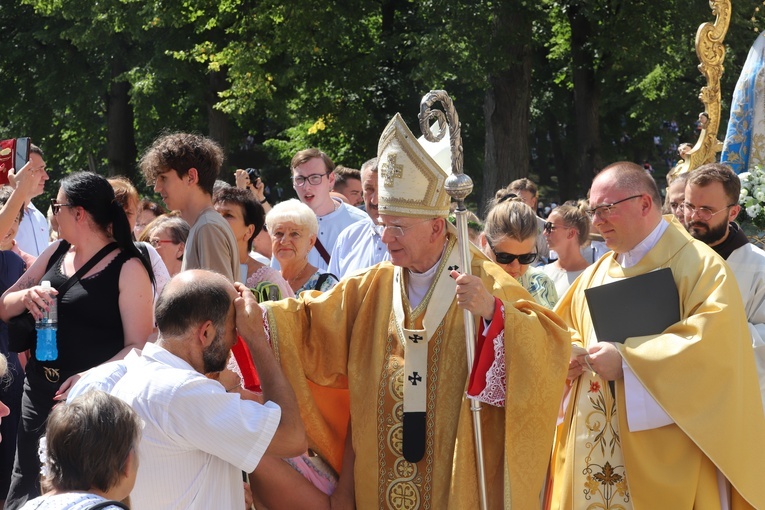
(567, 230)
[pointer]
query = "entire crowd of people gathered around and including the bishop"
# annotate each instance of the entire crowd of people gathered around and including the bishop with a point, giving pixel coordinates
(221, 351)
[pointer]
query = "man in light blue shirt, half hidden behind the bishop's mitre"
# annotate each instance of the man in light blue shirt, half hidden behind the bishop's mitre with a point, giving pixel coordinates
(360, 246)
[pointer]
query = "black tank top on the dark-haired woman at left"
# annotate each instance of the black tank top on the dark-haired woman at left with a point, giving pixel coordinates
(89, 321)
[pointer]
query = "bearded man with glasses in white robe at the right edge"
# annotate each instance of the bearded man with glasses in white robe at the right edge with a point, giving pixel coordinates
(711, 205)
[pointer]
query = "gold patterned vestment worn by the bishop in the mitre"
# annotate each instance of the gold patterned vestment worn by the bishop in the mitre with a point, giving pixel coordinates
(347, 338)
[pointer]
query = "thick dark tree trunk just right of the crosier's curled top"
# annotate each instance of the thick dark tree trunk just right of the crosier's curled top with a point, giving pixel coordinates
(506, 105)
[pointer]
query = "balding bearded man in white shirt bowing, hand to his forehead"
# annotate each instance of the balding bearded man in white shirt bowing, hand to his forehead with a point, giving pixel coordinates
(197, 437)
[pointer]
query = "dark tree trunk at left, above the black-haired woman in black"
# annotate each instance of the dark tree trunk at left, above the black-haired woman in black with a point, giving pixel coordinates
(120, 135)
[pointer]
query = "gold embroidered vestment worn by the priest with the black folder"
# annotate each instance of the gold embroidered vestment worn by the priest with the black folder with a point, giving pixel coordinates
(702, 373)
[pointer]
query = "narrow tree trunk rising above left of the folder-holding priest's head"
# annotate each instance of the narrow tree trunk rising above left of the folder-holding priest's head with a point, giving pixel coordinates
(586, 98)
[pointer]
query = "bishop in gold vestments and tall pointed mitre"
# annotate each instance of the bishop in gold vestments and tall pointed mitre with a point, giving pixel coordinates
(393, 335)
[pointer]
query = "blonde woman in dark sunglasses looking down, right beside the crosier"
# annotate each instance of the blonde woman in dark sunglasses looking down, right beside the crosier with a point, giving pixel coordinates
(509, 239)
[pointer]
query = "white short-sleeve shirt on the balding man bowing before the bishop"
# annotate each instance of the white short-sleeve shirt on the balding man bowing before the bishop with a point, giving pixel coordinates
(197, 439)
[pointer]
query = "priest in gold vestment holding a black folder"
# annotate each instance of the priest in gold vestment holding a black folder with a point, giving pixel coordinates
(686, 428)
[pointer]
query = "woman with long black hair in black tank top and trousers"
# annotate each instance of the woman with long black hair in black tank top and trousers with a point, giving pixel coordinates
(101, 317)
